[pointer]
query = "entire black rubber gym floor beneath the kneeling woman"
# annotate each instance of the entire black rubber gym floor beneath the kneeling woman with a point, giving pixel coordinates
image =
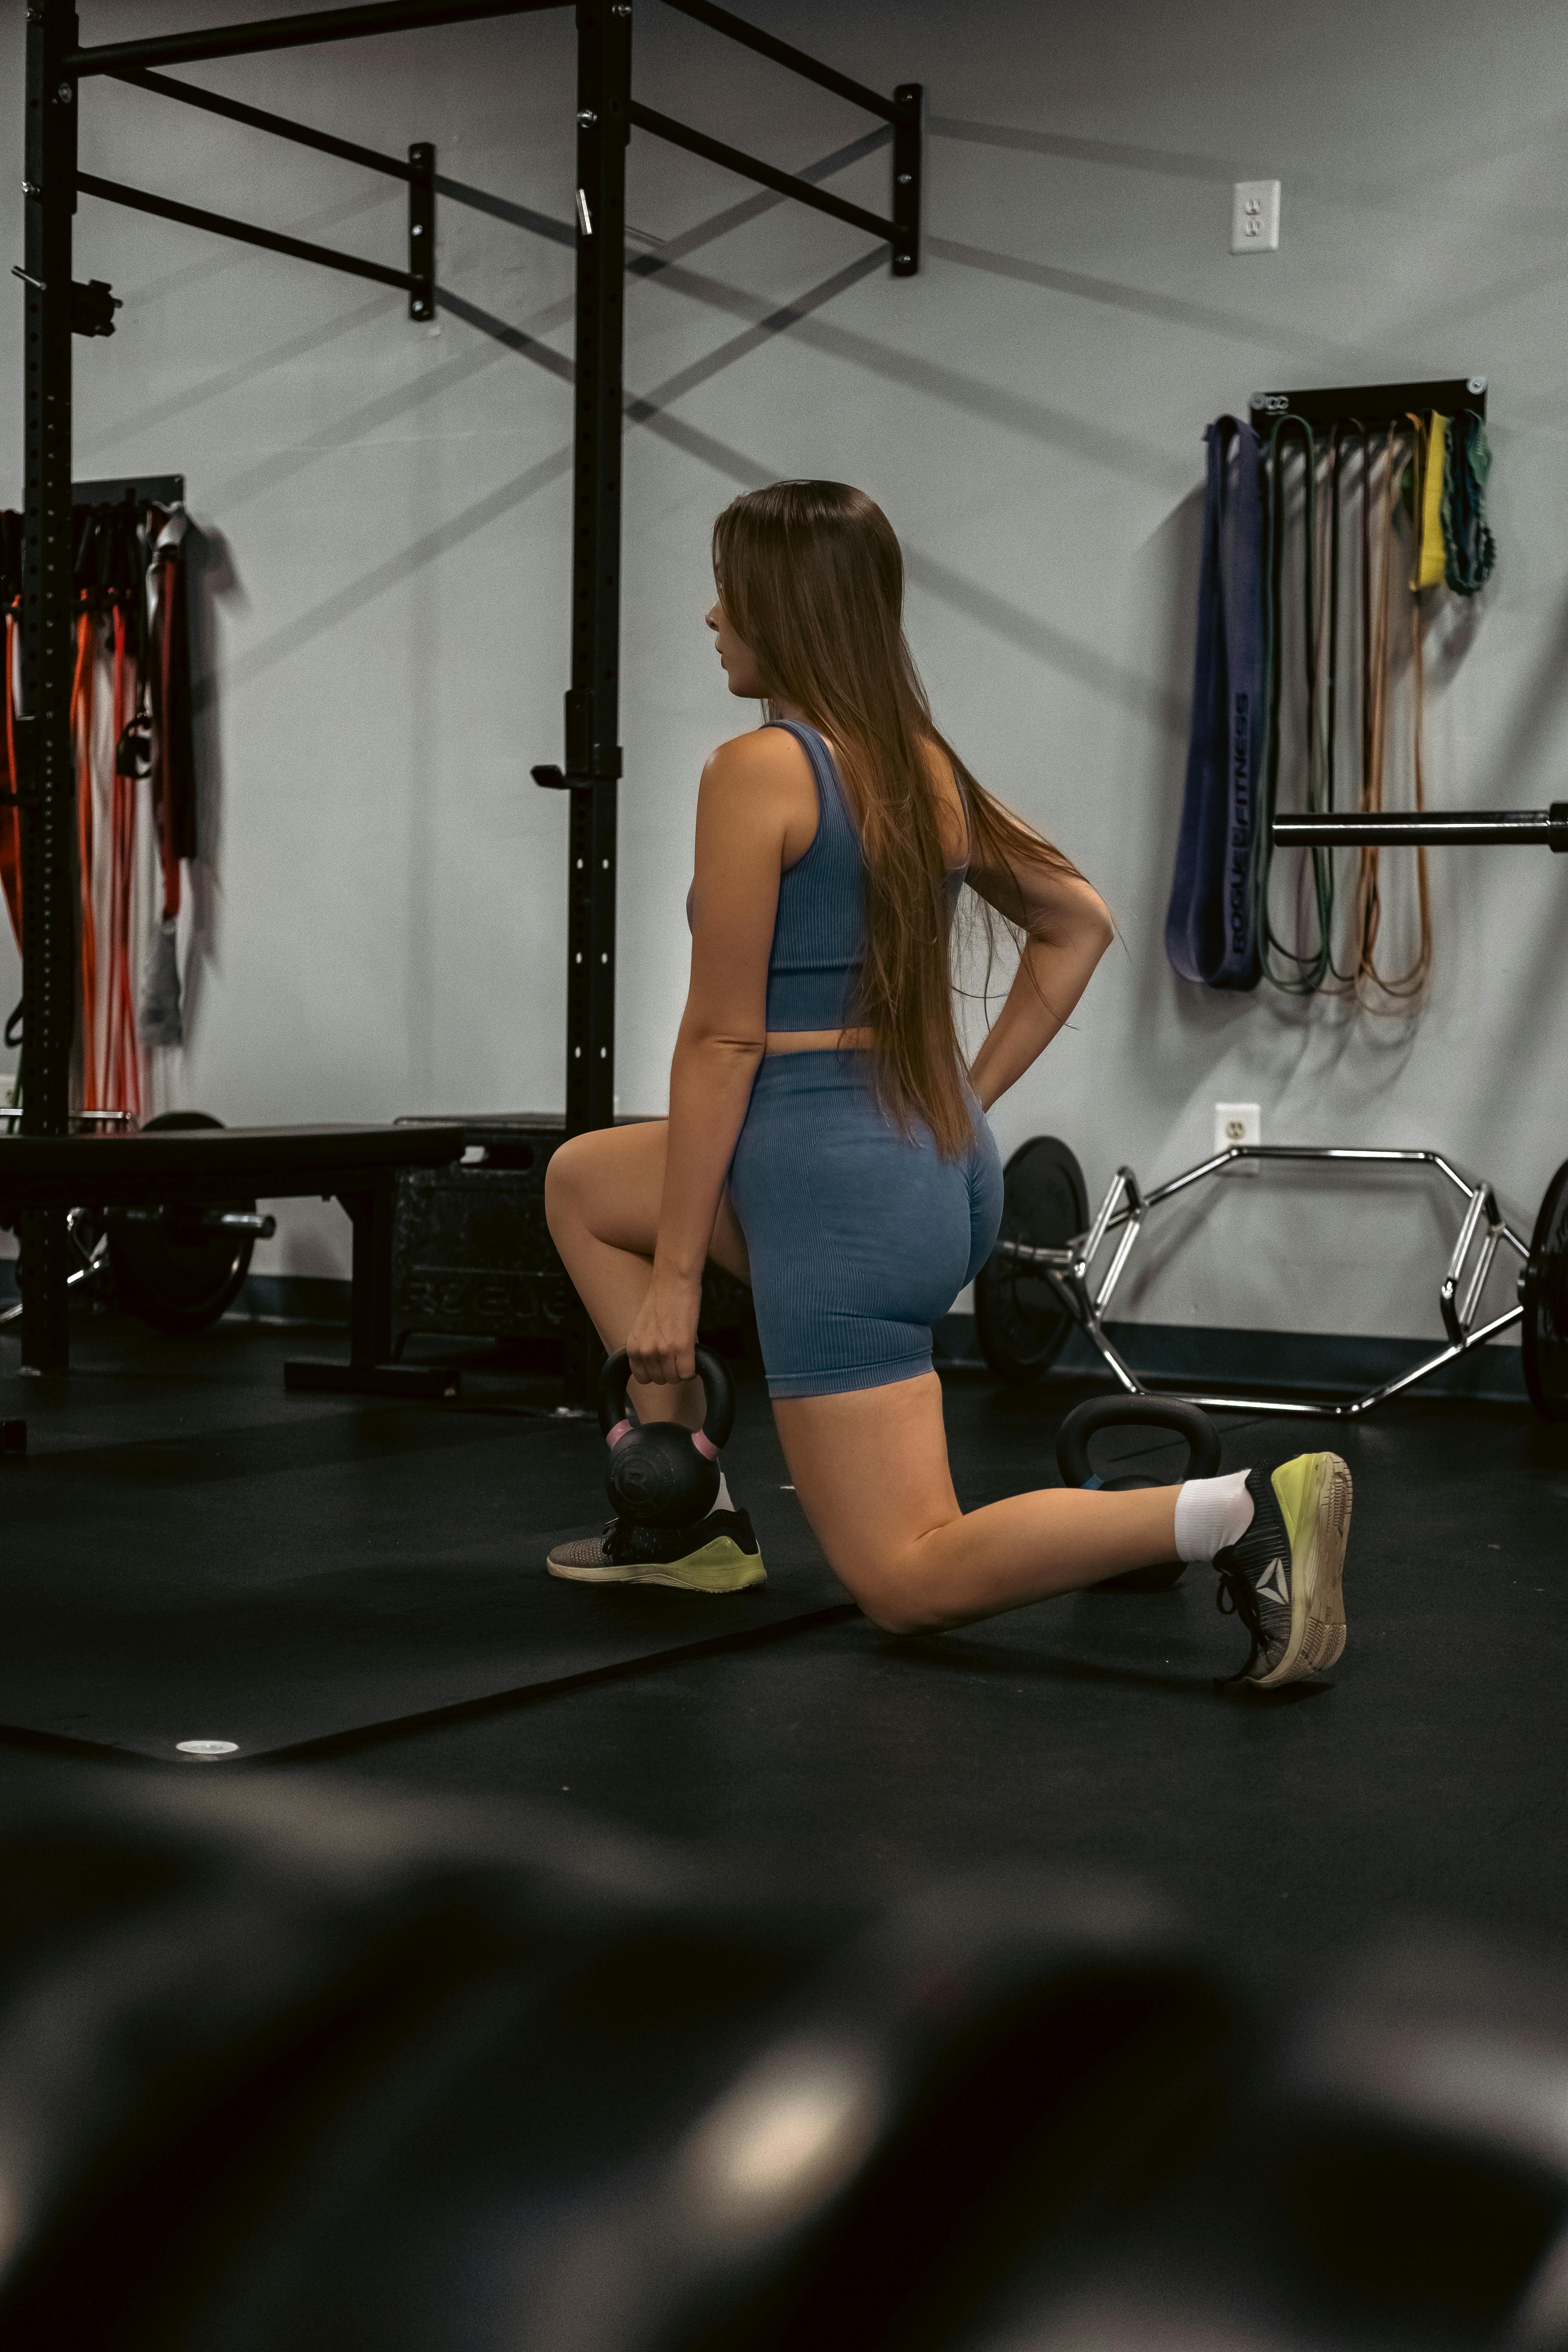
(356, 1589)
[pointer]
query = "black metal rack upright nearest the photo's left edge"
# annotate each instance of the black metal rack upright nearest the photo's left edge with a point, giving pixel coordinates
(46, 782)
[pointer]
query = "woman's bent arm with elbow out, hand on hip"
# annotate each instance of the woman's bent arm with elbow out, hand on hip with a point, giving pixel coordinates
(1066, 935)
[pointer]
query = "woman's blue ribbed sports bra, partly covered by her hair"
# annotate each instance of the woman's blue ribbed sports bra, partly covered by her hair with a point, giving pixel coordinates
(819, 930)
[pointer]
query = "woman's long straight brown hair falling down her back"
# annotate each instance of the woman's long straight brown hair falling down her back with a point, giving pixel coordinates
(812, 580)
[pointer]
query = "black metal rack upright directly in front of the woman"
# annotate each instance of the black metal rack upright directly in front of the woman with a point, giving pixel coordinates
(594, 735)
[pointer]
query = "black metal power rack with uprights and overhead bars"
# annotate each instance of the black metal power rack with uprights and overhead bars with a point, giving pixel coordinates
(58, 67)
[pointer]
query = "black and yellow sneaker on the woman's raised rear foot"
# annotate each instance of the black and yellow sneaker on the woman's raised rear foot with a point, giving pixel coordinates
(1287, 1577)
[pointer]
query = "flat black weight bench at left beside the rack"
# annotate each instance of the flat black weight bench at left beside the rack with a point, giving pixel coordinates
(351, 1165)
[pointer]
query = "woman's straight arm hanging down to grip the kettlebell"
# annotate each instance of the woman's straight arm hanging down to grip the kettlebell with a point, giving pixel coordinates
(742, 817)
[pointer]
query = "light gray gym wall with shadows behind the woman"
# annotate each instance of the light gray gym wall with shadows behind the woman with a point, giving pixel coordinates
(389, 519)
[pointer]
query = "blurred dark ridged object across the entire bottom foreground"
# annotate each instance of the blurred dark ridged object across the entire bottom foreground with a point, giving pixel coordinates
(293, 2066)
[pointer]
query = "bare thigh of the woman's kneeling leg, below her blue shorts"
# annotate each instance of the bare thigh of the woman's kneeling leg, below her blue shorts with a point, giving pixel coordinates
(871, 1474)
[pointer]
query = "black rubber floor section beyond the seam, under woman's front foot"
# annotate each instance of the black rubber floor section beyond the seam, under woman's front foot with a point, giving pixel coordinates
(194, 1553)
